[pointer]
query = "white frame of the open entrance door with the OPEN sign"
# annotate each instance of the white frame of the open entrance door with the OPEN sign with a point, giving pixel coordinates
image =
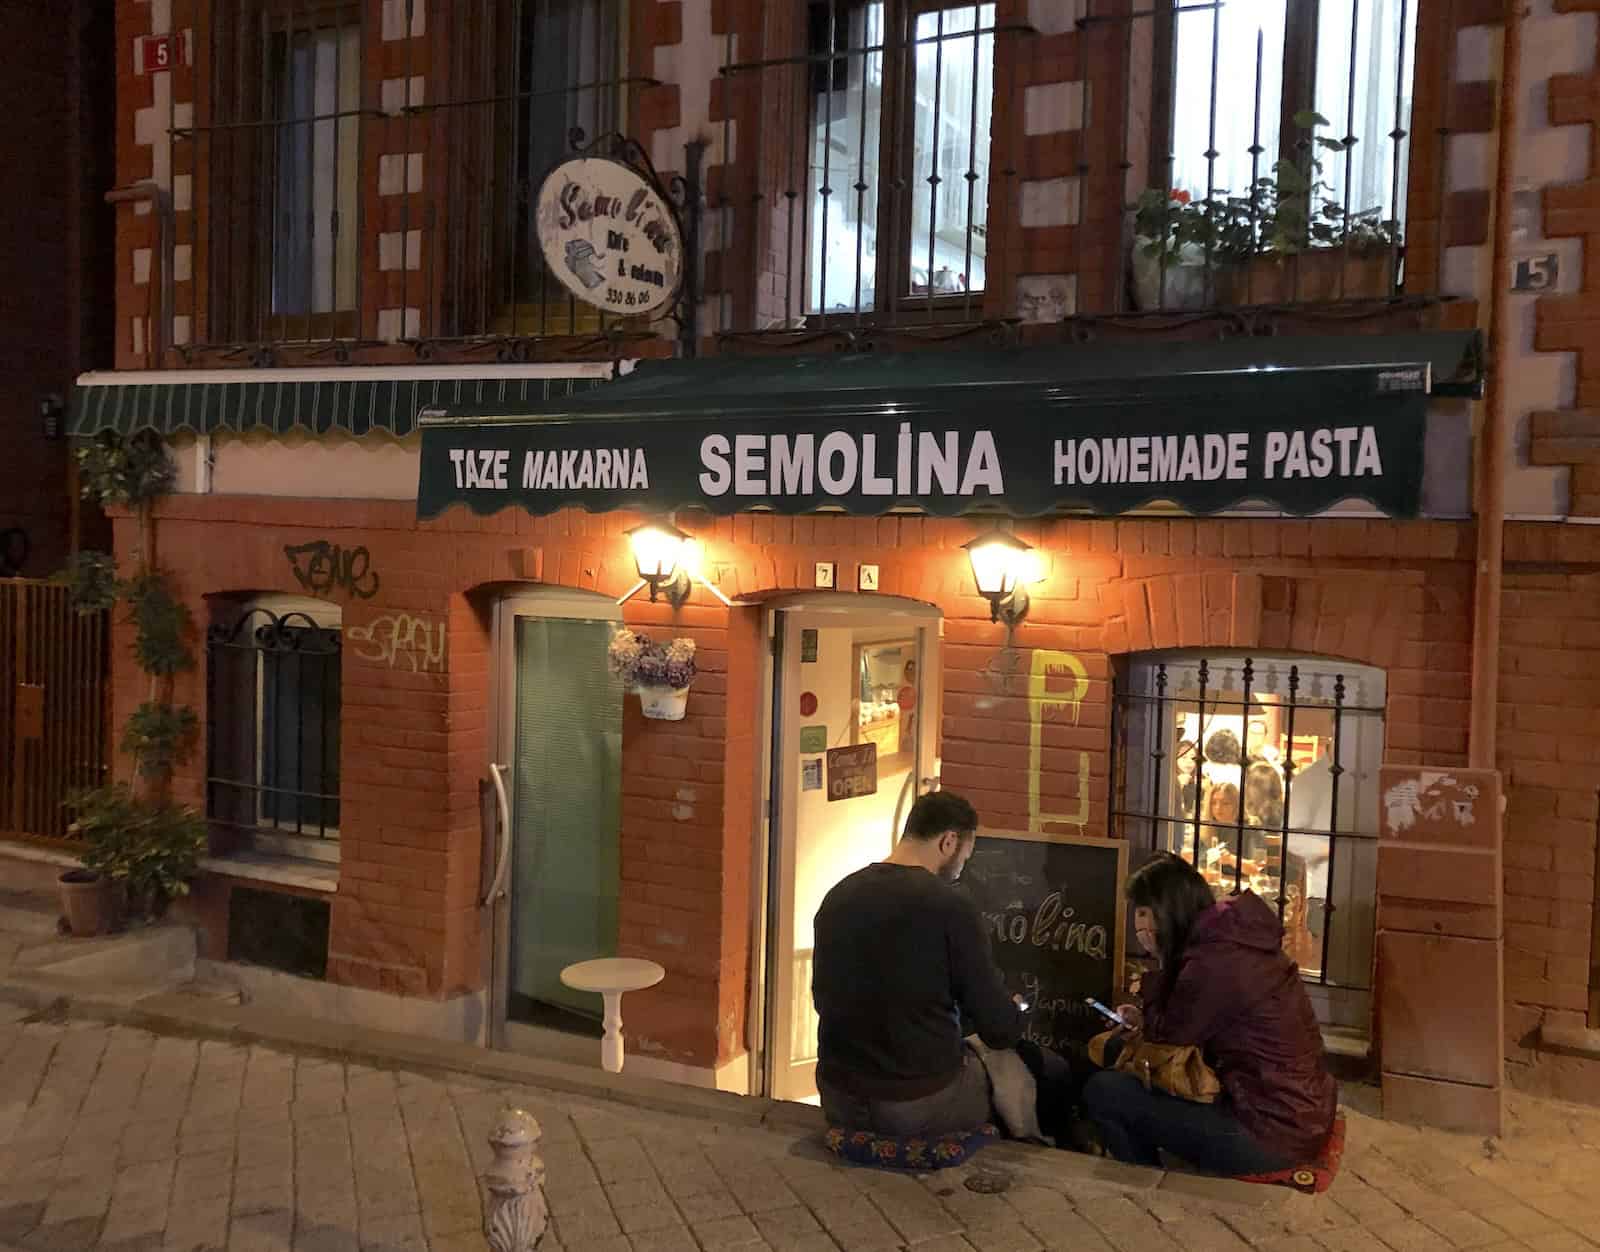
(775, 870)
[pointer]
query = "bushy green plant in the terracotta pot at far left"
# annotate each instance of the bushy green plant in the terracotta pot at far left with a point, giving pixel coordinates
(146, 848)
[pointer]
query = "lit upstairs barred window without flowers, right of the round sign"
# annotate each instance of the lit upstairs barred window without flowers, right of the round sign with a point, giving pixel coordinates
(887, 182)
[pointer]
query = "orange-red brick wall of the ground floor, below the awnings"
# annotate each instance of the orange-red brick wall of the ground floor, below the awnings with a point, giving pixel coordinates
(1391, 595)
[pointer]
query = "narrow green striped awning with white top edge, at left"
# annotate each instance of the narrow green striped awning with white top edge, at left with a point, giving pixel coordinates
(356, 399)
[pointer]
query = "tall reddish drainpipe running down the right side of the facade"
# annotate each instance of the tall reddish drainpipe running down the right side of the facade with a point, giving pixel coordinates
(1494, 438)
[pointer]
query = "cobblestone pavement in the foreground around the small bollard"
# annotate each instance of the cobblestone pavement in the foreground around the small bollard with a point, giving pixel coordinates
(118, 1139)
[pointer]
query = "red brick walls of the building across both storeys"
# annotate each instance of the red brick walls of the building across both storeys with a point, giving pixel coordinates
(1393, 595)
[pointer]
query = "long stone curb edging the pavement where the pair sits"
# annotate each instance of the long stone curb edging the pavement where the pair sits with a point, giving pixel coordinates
(201, 1019)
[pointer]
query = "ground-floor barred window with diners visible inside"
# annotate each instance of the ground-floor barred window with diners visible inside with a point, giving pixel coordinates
(1263, 772)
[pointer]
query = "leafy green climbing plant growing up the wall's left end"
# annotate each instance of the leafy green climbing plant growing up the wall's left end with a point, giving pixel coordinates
(140, 837)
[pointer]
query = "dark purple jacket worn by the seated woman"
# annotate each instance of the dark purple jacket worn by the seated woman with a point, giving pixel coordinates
(1241, 1000)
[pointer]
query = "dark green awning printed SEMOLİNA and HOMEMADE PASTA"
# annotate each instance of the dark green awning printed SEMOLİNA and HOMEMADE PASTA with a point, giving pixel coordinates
(1298, 423)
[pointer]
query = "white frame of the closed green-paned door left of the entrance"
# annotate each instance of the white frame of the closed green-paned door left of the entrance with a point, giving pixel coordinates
(521, 603)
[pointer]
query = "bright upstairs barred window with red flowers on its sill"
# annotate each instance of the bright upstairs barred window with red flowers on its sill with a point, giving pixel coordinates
(1289, 126)
